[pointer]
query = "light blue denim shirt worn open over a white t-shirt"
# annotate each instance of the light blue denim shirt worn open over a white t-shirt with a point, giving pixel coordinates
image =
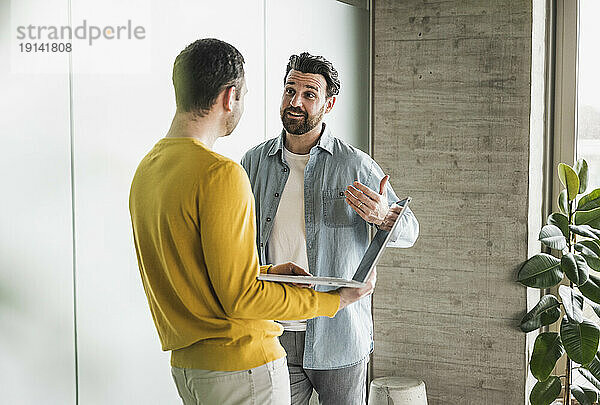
(336, 237)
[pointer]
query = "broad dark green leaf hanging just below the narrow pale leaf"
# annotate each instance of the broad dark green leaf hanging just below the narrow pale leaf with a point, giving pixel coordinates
(580, 340)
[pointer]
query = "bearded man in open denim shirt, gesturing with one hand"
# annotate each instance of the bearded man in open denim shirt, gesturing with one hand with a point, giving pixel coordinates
(315, 201)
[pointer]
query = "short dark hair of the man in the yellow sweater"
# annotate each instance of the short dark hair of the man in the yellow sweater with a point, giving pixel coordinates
(204, 69)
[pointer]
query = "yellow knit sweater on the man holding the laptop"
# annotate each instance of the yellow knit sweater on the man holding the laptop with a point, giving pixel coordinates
(192, 212)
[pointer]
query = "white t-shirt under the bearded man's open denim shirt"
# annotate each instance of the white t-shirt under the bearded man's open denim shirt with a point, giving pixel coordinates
(287, 242)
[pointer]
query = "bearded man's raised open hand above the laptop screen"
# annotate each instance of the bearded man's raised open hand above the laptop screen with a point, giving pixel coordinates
(371, 207)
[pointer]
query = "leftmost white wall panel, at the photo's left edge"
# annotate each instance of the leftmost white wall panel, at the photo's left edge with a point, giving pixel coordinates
(36, 301)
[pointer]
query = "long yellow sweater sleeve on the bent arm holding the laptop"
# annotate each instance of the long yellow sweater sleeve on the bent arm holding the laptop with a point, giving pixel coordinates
(227, 226)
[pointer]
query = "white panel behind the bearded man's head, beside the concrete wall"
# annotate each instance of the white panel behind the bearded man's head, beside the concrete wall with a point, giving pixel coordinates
(332, 29)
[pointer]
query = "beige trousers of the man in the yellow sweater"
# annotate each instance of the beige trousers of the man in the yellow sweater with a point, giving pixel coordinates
(268, 384)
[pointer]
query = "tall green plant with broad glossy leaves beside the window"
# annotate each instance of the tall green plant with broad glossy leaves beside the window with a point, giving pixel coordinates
(573, 237)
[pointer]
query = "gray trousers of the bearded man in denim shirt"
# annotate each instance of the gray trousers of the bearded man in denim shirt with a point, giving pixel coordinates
(344, 386)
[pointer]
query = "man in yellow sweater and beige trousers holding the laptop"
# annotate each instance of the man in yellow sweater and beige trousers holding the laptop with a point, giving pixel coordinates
(192, 212)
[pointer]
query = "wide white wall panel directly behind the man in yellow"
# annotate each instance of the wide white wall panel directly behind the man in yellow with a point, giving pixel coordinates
(118, 117)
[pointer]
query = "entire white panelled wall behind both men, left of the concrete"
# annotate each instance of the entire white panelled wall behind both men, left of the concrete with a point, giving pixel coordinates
(123, 103)
